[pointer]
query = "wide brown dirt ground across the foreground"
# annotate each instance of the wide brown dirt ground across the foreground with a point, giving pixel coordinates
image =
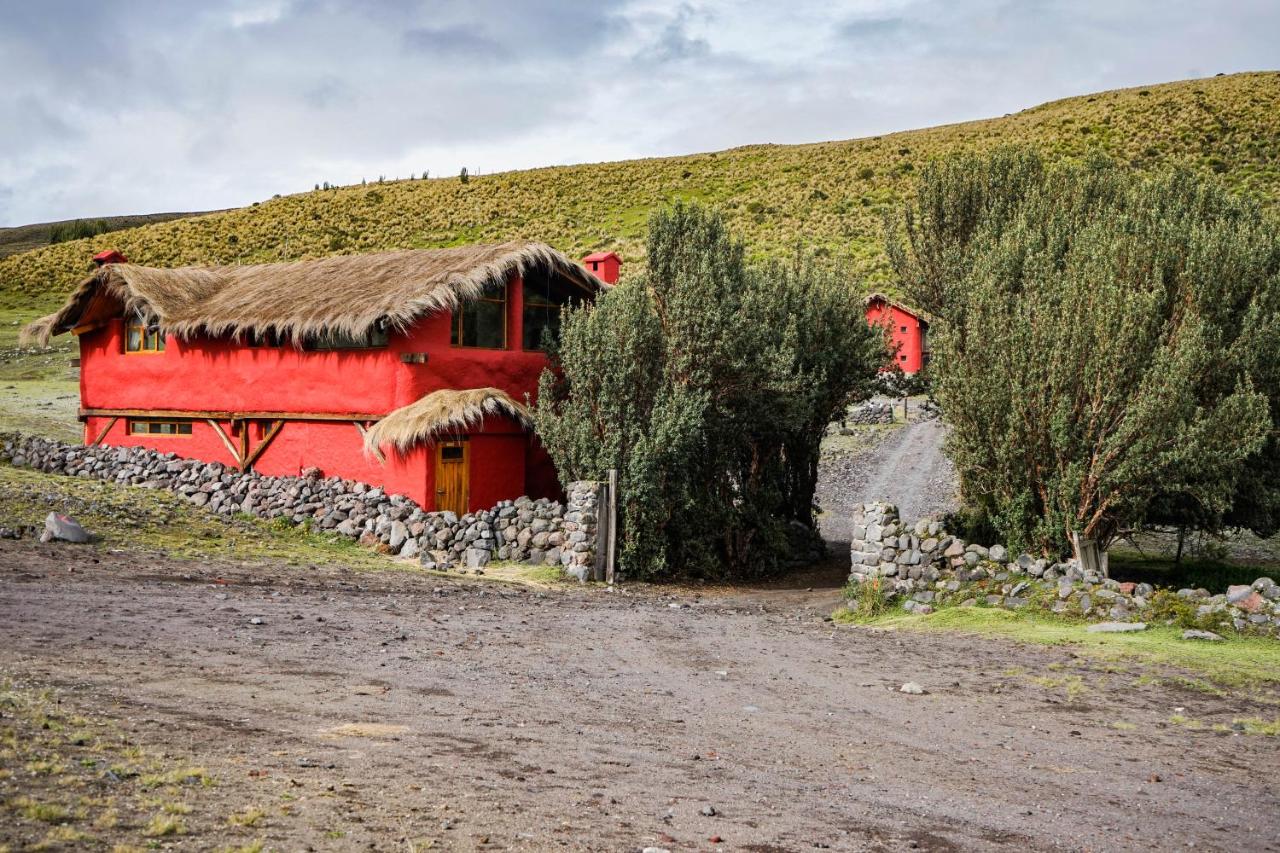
(401, 711)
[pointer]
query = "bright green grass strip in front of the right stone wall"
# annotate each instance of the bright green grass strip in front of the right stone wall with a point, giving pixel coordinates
(1240, 662)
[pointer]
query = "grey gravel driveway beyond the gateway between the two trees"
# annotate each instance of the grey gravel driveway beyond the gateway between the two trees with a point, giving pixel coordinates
(904, 467)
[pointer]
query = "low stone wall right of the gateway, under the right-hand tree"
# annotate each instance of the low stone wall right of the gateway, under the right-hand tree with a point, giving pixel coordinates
(925, 565)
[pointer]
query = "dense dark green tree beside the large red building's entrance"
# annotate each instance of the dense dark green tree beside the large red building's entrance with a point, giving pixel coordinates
(708, 385)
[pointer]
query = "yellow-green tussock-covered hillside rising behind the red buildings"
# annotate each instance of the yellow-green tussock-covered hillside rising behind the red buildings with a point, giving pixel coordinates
(829, 197)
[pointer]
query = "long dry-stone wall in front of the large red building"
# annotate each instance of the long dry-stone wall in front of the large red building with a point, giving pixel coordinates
(536, 532)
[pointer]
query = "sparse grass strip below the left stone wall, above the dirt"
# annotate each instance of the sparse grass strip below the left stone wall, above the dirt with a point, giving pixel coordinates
(152, 521)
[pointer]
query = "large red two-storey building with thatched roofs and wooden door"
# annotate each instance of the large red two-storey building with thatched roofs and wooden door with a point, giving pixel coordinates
(409, 371)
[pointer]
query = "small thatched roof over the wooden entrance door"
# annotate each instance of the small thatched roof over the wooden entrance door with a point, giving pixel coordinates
(444, 412)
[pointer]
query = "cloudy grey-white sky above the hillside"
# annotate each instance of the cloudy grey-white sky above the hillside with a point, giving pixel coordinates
(113, 107)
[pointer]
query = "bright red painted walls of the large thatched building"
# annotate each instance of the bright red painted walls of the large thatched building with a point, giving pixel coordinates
(213, 375)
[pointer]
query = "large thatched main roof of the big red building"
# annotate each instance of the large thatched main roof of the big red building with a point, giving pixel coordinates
(348, 294)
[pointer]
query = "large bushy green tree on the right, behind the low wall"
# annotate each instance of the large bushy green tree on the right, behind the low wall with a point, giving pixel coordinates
(1105, 349)
